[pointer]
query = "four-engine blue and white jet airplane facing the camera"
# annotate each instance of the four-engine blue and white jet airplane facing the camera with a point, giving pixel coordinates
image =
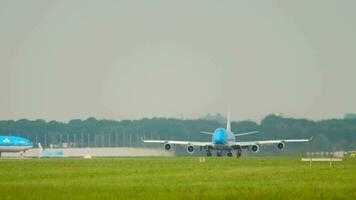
(223, 140)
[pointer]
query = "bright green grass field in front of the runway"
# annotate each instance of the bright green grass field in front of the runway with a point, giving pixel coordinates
(175, 178)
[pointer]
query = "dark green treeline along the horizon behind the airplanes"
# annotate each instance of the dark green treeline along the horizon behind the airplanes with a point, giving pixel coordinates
(329, 135)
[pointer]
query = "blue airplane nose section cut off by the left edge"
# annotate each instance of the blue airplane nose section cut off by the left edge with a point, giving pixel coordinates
(14, 144)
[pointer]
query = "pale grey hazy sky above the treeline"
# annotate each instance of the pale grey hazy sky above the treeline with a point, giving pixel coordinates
(61, 60)
